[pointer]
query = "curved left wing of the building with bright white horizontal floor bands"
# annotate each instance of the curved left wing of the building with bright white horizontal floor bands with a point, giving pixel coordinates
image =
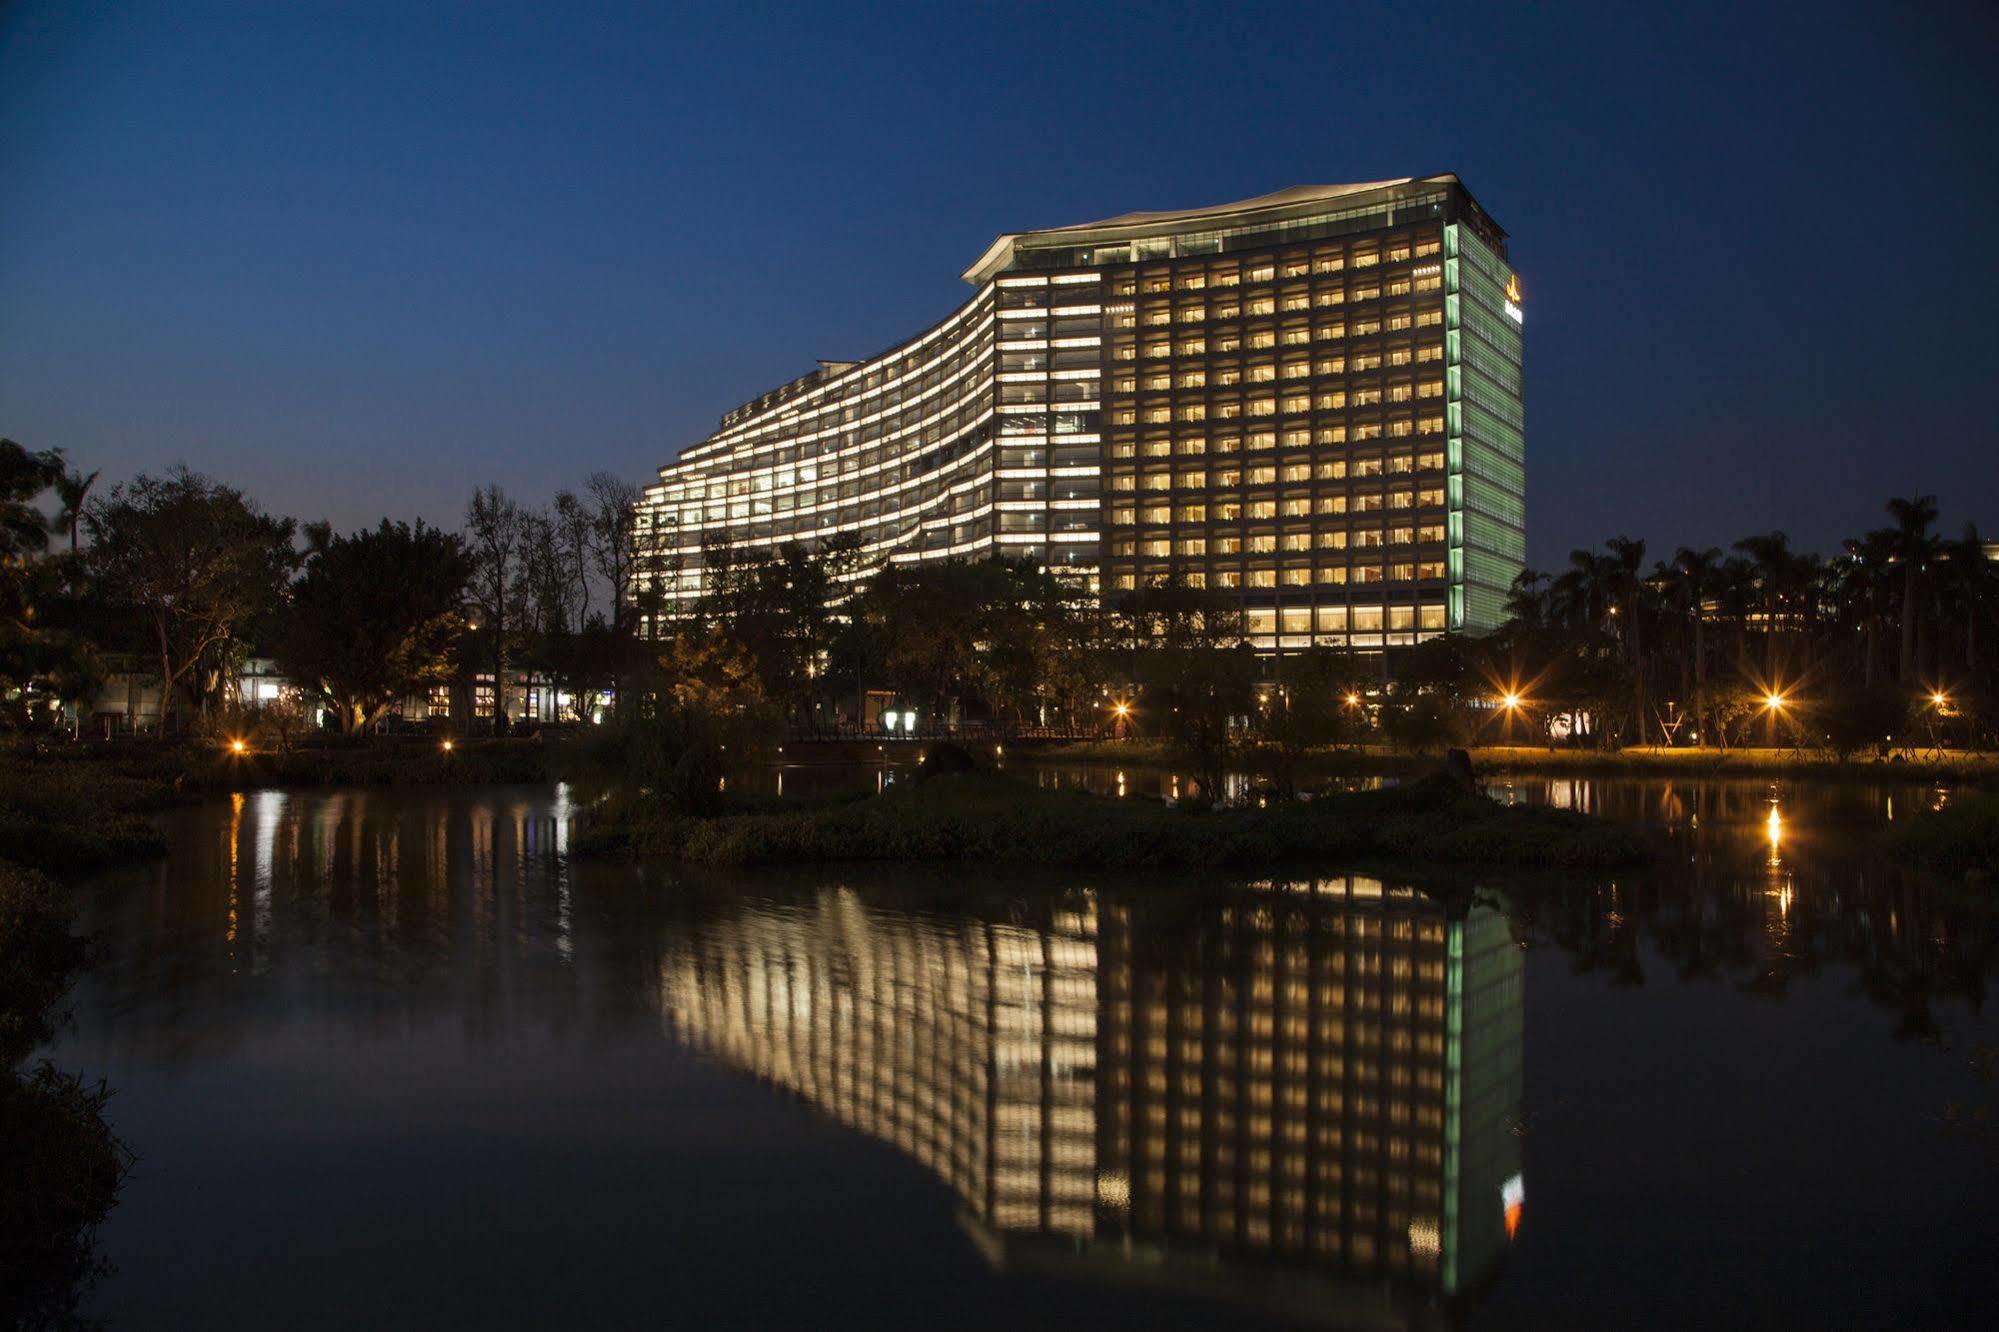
(975, 439)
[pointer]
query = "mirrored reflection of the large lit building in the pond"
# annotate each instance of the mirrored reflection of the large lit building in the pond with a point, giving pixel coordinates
(1298, 1097)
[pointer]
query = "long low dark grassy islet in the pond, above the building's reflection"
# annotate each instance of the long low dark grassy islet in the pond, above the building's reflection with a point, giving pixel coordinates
(989, 819)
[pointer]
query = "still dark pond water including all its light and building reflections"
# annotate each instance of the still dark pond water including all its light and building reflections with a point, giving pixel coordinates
(389, 1059)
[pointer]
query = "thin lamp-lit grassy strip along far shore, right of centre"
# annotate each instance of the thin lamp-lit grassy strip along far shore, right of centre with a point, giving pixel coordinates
(1636, 761)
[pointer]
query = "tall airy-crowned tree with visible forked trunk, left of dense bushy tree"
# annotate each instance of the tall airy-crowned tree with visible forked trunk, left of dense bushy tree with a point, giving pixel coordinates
(197, 561)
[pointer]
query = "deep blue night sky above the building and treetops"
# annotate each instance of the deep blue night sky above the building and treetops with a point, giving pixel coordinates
(363, 261)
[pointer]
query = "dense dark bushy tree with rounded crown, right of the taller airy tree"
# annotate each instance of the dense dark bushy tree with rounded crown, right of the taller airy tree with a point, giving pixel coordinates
(375, 617)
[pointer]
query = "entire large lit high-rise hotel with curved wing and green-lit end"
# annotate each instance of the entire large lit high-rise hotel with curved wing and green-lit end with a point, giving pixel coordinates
(1306, 401)
